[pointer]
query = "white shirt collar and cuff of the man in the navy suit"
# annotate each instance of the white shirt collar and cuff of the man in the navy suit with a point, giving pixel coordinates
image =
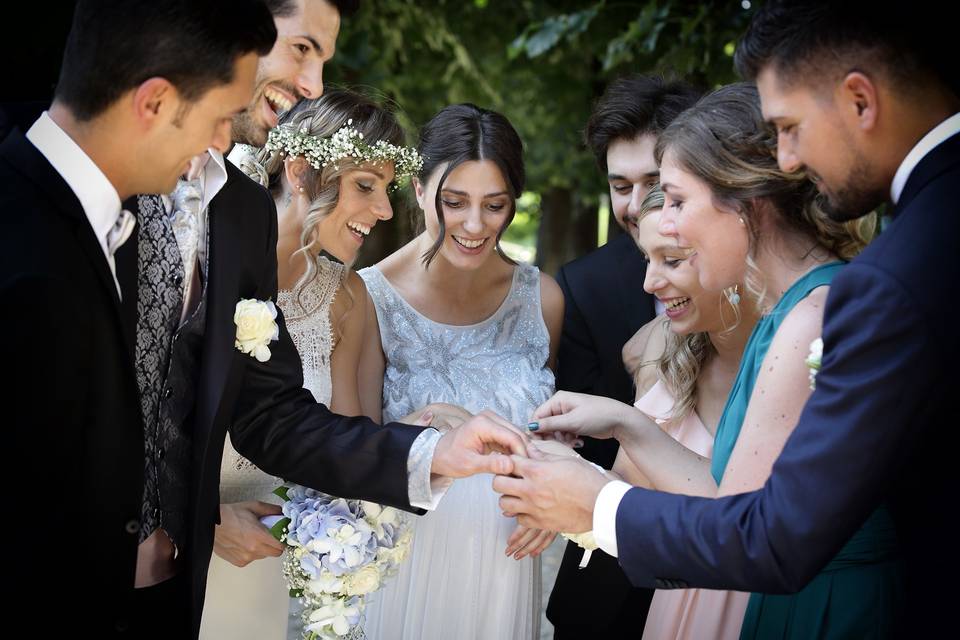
(608, 501)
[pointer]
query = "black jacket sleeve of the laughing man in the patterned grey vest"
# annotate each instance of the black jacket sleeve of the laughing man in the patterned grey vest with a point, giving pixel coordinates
(278, 425)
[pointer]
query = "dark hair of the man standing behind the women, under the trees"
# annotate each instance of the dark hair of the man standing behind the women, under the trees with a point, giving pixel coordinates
(632, 106)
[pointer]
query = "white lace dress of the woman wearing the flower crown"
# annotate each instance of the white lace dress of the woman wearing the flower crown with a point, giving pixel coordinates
(252, 602)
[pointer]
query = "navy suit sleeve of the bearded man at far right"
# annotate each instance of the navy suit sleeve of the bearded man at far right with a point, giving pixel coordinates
(879, 386)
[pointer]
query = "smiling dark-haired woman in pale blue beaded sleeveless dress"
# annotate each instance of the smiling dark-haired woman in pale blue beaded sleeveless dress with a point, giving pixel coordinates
(452, 319)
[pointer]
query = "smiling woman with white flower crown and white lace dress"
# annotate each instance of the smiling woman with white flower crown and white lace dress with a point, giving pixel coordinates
(328, 166)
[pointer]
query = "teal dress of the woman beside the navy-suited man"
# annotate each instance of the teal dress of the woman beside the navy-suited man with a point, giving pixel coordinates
(856, 593)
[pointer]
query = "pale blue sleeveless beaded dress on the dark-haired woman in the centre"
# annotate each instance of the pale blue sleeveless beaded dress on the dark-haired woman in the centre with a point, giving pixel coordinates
(457, 582)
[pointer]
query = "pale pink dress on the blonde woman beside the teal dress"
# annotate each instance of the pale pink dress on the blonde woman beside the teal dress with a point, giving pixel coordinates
(689, 614)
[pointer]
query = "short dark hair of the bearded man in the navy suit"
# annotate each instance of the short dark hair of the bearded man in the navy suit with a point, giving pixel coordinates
(811, 39)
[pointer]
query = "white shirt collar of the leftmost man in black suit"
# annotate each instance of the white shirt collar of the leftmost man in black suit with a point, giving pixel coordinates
(96, 194)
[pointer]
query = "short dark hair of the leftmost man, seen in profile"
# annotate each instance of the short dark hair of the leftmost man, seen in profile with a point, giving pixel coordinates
(115, 45)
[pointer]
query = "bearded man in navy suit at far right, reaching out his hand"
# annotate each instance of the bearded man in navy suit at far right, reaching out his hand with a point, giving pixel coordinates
(859, 102)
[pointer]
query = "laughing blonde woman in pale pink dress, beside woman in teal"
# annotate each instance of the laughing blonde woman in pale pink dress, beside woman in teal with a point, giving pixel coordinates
(684, 363)
